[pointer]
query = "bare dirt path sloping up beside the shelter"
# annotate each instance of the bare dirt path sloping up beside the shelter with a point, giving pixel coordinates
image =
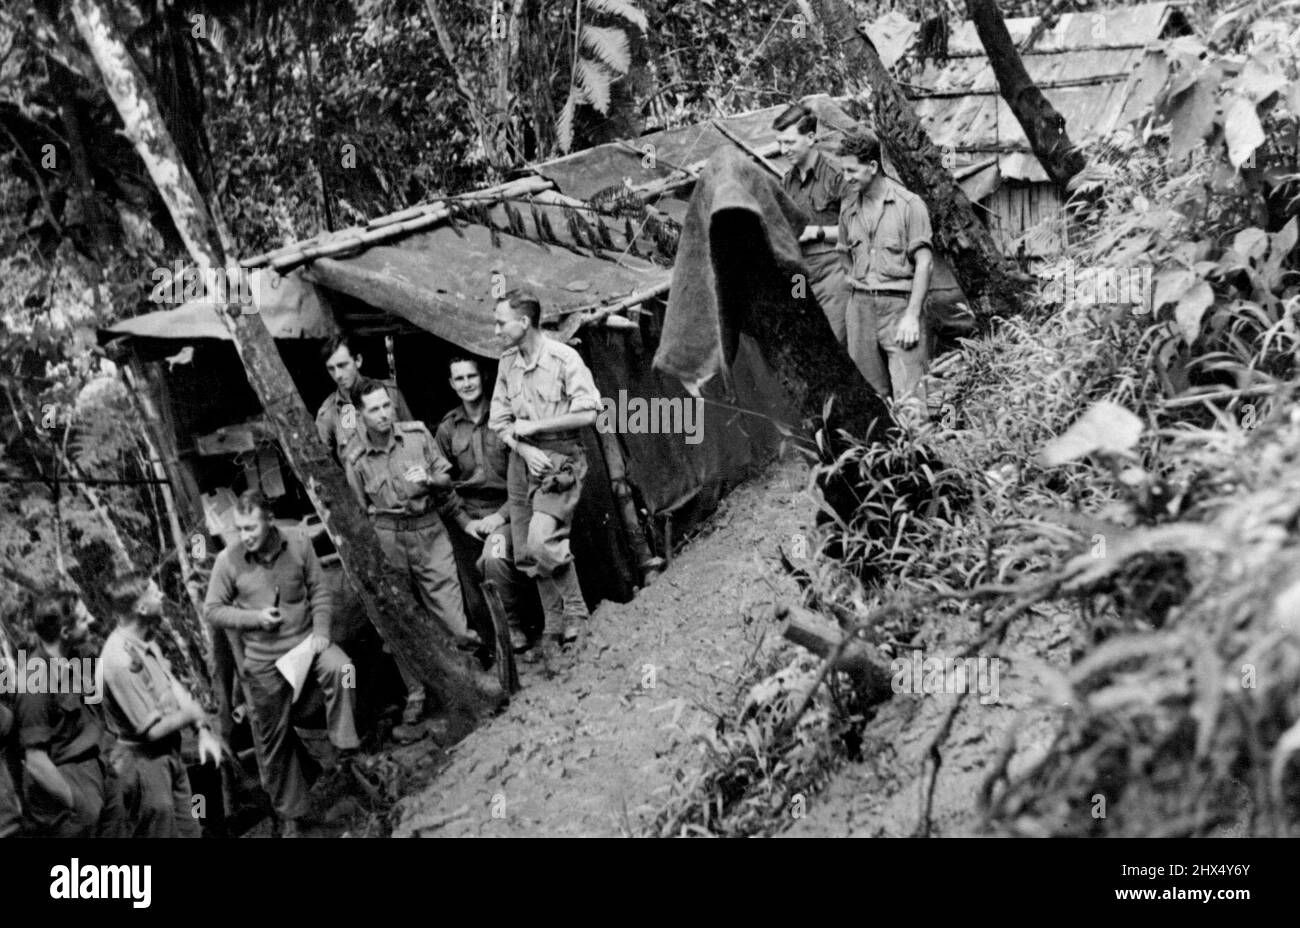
(593, 752)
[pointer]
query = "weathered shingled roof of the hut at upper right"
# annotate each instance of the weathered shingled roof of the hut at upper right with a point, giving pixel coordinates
(1095, 68)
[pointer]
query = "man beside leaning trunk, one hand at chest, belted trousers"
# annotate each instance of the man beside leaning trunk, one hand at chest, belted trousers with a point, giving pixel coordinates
(395, 470)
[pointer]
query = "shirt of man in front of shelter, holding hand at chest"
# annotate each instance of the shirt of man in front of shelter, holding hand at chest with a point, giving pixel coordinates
(378, 475)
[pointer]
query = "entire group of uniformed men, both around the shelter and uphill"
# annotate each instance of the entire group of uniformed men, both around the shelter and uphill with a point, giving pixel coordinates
(483, 508)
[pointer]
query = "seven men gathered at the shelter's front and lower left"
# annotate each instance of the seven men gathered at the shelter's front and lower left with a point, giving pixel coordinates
(491, 497)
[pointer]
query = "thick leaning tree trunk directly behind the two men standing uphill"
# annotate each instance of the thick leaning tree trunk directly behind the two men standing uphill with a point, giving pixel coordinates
(980, 266)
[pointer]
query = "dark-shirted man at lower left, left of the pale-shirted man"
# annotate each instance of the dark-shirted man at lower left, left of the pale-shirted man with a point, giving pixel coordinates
(70, 787)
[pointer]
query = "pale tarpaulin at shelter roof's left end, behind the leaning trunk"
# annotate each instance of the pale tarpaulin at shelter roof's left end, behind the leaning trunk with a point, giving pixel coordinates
(289, 309)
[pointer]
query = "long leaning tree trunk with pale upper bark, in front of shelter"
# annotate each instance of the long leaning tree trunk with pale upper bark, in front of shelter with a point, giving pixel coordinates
(467, 693)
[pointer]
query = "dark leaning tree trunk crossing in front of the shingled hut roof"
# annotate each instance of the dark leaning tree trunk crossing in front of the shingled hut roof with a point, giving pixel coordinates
(1043, 125)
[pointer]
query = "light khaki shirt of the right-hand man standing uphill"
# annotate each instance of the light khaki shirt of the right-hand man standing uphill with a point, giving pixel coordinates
(879, 238)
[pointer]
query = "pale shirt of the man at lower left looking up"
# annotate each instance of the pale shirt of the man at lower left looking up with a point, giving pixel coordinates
(141, 684)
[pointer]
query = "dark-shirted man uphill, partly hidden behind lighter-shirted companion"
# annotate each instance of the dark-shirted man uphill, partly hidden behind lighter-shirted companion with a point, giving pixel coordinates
(818, 188)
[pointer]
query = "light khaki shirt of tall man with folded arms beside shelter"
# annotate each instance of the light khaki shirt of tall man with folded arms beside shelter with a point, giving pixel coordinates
(556, 384)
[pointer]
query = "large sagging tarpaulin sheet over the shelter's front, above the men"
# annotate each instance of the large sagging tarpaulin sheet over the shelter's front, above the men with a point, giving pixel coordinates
(443, 280)
